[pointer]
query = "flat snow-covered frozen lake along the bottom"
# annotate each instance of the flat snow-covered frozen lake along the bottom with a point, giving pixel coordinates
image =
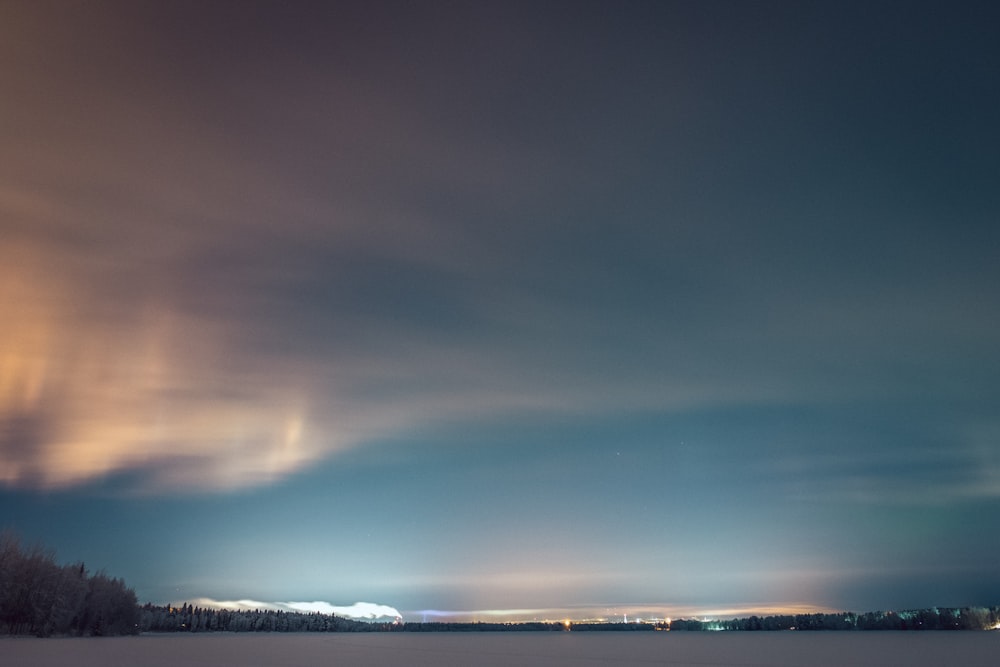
(736, 649)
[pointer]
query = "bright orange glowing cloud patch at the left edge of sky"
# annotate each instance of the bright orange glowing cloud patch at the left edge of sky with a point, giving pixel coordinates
(89, 389)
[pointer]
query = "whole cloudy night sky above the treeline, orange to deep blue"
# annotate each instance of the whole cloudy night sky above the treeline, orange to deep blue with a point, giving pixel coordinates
(513, 309)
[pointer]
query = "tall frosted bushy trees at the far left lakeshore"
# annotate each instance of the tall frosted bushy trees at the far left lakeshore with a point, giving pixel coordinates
(40, 597)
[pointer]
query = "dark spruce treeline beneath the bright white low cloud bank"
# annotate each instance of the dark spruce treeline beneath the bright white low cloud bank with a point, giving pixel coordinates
(188, 618)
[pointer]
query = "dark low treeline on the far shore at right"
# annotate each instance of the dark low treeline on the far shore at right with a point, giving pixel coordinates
(934, 618)
